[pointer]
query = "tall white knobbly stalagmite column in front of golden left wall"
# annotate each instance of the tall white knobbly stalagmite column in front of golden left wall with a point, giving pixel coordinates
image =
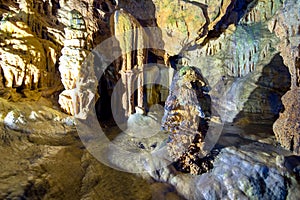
(77, 73)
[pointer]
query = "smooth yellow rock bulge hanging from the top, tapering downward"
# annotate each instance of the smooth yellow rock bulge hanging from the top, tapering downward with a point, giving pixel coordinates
(178, 26)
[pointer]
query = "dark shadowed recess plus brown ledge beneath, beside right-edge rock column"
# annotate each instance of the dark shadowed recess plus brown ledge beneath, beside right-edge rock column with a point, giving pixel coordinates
(262, 107)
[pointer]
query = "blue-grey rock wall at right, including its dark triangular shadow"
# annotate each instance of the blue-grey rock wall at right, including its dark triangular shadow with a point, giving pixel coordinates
(241, 58)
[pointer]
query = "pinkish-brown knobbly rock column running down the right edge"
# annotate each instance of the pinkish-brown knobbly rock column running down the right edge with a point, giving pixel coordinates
(287, 127)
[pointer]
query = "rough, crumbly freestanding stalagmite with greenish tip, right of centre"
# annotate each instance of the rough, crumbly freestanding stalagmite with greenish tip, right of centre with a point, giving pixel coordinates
(184, 119)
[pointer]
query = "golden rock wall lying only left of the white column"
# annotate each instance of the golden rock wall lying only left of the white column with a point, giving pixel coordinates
(29, 50)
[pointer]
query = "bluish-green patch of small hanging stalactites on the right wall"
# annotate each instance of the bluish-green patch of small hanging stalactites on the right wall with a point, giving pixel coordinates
(246, 48)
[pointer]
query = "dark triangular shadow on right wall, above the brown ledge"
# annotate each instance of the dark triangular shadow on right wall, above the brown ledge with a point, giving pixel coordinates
(264, 103)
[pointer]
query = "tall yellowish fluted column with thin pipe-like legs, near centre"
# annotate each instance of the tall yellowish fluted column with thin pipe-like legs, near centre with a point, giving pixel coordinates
(132, 41)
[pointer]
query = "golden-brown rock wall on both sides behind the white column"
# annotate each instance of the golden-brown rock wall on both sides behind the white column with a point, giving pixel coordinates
(32, 36)
